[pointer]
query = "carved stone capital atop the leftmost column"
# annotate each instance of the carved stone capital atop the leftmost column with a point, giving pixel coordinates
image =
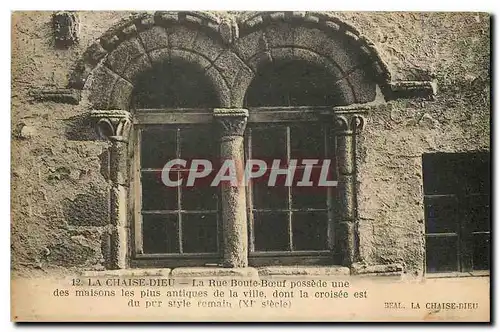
(113, 125)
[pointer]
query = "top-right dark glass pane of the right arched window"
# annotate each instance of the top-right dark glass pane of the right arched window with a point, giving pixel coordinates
(307, 141)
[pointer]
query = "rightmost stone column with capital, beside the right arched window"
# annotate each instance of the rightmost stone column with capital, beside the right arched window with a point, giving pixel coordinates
(348, 125)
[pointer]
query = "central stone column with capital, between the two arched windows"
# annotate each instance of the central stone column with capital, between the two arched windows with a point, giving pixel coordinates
(231, 124)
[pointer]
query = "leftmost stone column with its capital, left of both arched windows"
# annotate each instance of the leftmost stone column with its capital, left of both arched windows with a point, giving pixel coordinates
(115, 125)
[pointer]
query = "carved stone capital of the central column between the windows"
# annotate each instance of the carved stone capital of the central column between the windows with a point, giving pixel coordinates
(231, 121)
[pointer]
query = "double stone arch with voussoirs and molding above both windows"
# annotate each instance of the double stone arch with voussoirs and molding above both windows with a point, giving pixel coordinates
(230, 49)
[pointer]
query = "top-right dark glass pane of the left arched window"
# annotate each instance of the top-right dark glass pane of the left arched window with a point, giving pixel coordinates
(197, 143)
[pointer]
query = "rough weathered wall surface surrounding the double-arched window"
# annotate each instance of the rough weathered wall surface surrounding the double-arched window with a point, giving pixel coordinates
(60, 180)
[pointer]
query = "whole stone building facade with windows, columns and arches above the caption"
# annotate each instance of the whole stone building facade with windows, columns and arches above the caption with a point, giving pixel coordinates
(399, 95)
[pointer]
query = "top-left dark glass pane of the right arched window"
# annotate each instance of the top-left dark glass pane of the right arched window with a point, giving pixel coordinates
(269, 144)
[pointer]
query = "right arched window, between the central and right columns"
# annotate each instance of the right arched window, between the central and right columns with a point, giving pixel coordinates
(291, 224)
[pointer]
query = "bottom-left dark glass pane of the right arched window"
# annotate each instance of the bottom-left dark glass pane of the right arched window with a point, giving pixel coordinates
(271, 231)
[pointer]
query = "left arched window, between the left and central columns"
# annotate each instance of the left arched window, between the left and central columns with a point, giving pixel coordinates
(177, 225)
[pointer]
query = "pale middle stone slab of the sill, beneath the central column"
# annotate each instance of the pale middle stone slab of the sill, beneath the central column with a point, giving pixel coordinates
(199, 272)
